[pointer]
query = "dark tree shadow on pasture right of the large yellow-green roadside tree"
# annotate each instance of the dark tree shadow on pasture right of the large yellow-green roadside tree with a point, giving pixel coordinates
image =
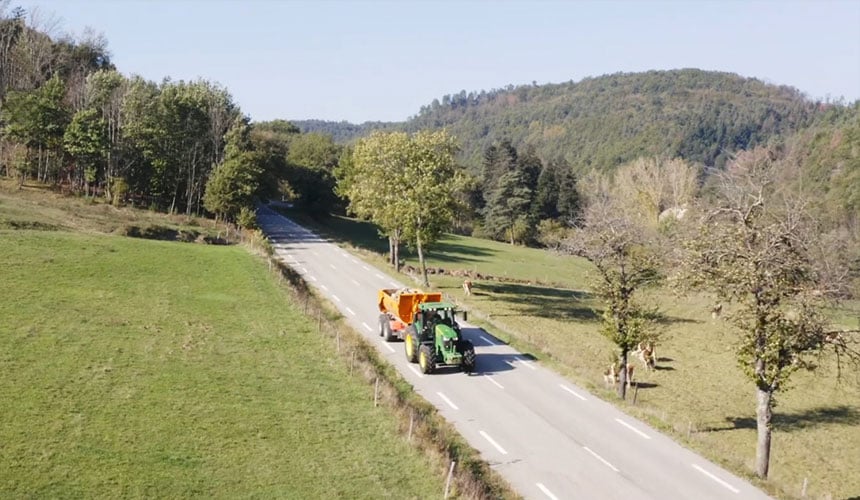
(545, 302)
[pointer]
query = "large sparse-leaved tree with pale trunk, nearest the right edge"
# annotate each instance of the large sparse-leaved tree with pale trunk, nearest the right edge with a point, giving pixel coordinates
(755, 249)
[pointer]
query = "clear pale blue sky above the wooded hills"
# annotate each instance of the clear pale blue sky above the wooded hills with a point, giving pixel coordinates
(357, 61)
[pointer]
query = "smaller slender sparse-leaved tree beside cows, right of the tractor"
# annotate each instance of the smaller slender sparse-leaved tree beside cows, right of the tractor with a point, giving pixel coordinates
(622, 253)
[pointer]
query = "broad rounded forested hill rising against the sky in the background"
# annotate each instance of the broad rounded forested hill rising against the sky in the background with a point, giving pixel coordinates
(605, 121)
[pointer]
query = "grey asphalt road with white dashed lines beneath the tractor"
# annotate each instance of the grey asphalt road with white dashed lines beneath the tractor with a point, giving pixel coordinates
(548, 437)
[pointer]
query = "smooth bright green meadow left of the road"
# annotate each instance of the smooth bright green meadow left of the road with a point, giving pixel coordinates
(137, 368)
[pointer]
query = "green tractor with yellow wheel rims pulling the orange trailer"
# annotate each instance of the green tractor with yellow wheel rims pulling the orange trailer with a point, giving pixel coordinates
(434, 339)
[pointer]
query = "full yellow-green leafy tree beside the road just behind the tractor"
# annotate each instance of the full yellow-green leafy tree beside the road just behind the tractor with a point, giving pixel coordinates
(405, 184)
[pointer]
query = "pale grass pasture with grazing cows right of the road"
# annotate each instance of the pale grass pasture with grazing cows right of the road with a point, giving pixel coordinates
(698, 392)
